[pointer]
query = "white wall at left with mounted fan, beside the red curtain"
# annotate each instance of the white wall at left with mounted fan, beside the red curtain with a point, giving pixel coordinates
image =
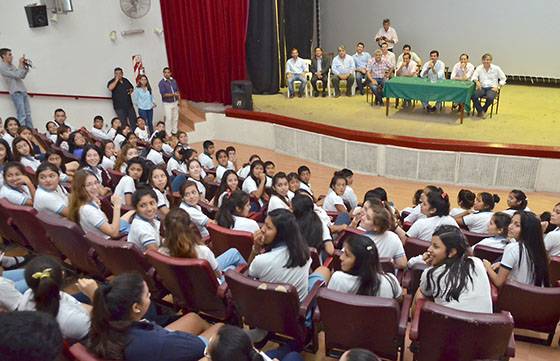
(76, 56)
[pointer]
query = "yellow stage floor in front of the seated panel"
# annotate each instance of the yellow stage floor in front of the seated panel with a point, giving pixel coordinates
(527, 115)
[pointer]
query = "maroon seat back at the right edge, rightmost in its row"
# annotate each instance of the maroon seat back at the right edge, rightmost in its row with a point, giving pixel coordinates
(515, 297)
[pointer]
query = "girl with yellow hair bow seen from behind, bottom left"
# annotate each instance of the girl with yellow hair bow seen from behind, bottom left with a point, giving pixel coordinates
(44, 276)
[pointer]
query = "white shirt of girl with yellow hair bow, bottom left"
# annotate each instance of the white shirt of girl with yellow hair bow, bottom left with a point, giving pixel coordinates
(73, 319)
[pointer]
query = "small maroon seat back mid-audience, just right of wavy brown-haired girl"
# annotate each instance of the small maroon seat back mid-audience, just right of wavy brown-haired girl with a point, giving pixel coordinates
(223, 239)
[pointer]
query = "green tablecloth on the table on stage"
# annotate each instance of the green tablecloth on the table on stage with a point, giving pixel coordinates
(457, 91)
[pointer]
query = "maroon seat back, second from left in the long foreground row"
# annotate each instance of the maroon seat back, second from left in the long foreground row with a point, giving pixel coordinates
(68, 238)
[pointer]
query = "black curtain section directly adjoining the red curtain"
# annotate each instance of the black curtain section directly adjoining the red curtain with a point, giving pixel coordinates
(262, 47)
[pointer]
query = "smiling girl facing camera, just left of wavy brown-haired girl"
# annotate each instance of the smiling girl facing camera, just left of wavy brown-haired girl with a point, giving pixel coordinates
(144, 230)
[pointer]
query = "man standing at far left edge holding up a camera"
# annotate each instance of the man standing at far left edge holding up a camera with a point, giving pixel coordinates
(13, 77)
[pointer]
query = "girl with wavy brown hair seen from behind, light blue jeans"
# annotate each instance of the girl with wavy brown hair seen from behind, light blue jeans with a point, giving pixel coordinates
(182, 241)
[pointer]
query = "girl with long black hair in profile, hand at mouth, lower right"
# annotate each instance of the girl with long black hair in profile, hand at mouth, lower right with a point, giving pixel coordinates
(454, 279)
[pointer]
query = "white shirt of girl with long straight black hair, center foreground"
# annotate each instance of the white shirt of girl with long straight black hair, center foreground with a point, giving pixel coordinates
(269, 267)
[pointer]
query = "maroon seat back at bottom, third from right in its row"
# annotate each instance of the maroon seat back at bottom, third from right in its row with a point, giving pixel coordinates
(368, 322)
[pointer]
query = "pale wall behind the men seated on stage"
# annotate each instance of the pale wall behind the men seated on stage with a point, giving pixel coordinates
(522, 35)
